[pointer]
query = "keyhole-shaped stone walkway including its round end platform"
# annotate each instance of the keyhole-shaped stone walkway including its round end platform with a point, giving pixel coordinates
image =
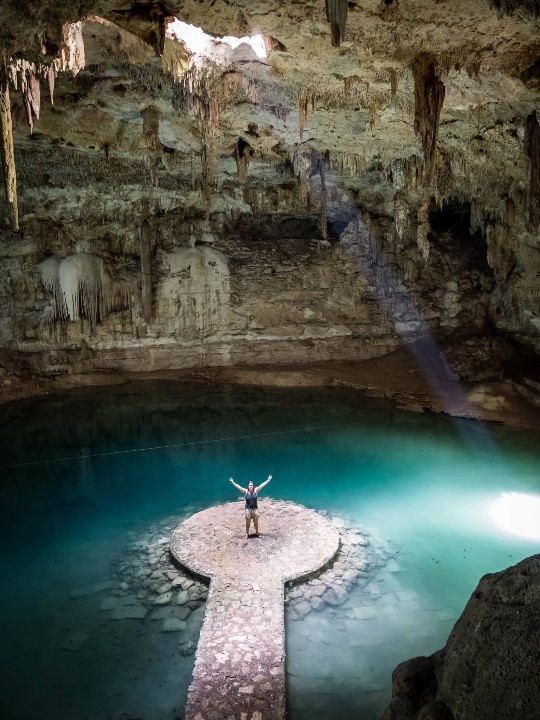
(240, 662)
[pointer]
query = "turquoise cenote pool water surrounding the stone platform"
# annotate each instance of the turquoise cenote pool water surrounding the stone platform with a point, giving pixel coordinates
(423, 485)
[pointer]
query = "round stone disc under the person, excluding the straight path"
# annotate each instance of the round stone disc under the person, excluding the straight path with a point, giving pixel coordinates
(295, 541)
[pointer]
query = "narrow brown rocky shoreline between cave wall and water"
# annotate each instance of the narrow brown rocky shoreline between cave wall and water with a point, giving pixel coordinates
(394, 377)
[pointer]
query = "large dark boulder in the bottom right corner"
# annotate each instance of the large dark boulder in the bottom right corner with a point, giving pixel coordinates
(489, 667)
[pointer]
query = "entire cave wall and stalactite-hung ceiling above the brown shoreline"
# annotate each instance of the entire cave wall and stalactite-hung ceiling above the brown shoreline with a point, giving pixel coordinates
(252, 180)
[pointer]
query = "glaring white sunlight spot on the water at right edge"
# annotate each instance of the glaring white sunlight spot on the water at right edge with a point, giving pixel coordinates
(517, 514)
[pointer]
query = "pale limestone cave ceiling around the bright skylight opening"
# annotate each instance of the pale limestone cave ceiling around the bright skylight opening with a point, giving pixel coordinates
(354, 103)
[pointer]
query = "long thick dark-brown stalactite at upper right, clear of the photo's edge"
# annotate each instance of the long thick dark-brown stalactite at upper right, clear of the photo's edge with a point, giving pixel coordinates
(428, 101)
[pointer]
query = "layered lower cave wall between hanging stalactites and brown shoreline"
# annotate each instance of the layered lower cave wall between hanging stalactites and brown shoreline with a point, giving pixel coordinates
(223, 295)
